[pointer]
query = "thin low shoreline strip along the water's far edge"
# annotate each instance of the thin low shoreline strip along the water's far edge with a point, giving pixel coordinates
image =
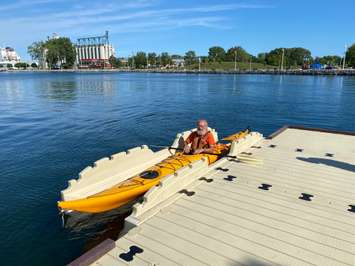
(323, 72)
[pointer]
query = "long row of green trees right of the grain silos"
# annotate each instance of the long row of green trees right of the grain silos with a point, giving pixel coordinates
(289, 57)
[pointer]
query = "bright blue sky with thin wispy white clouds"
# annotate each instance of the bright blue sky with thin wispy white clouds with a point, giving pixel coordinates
(176, 26)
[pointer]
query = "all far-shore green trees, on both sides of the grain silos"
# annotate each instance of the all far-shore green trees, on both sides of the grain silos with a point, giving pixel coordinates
(60, 52)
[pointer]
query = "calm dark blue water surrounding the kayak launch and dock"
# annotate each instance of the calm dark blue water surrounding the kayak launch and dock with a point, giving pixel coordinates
(53, 125)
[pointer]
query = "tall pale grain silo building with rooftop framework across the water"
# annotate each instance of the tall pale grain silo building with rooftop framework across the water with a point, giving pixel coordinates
(94, 52)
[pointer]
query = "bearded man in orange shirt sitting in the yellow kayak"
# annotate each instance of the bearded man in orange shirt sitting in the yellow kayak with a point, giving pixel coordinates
(201, 140)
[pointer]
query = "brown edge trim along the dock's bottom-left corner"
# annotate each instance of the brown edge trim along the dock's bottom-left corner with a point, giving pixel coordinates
(94, 254)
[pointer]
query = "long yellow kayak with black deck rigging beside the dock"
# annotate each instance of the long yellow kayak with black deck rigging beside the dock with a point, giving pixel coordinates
(136, 186)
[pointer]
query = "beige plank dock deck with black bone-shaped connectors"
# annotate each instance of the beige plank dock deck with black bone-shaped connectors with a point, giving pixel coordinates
(257, 214)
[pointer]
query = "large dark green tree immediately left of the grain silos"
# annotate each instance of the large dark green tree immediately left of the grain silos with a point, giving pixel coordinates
(60, 52)
